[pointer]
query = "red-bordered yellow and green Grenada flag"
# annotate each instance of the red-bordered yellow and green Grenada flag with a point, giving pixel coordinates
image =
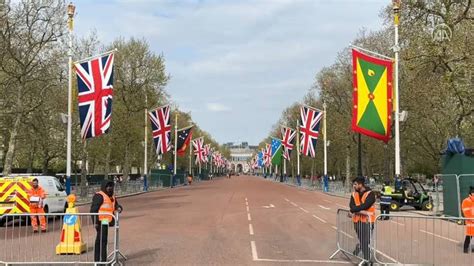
(372, 96)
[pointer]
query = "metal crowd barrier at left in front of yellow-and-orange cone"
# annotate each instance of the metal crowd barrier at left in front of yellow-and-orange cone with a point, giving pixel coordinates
(62, 242)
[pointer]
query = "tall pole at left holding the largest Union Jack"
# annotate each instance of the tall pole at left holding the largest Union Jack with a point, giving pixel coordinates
(71, 8)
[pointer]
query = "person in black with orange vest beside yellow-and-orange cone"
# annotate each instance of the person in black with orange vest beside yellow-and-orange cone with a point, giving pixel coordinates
(102, 225)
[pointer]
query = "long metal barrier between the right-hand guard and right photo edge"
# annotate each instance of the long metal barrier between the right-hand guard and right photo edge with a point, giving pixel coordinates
(421, 240)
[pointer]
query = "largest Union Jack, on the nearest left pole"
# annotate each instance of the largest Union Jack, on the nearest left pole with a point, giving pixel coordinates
(95, 90)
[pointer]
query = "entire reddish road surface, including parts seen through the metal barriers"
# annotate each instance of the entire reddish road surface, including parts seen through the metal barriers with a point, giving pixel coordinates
(248, 220)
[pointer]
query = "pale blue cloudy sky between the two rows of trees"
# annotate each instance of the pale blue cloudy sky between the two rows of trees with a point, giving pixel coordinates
(235, 65)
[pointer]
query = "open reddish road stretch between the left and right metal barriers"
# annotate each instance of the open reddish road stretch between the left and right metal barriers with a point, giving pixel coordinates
(209, 224)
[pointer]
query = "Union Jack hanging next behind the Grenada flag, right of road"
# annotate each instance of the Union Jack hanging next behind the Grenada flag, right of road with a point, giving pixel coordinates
(310, 123)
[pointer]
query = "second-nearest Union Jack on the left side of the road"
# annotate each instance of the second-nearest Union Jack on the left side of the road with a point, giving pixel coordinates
(161, 128)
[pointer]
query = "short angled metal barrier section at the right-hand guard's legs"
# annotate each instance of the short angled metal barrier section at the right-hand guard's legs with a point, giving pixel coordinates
(354, 240)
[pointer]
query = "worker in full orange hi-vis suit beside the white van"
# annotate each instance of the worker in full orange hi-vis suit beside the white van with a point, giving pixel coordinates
(36, 196)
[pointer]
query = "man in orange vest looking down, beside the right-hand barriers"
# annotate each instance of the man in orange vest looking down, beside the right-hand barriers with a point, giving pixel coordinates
(362, 207)
